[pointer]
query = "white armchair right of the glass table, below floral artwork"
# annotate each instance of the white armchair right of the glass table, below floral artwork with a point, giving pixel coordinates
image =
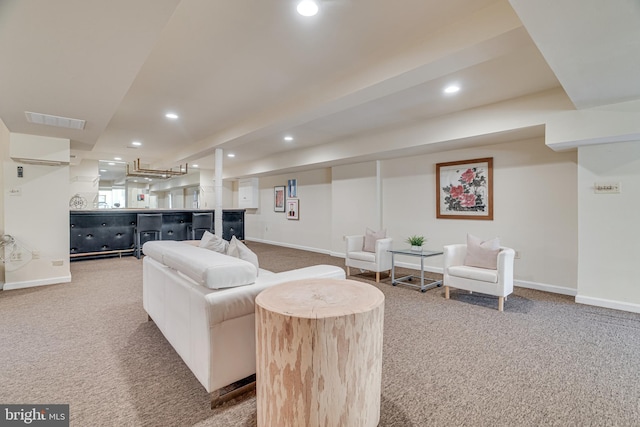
(483, 280)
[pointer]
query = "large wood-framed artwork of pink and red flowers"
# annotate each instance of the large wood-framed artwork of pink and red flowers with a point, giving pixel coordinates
(464, 189)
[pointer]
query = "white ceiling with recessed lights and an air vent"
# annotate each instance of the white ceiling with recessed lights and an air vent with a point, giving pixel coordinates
(242, 74)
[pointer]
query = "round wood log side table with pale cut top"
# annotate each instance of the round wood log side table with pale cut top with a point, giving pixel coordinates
(319, 353)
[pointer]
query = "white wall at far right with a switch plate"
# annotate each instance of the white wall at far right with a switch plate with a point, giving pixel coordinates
(608, 226)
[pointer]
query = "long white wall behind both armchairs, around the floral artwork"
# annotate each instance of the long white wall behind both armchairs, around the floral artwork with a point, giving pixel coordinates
(535, 209)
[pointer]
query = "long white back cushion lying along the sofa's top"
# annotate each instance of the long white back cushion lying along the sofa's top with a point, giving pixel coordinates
(208, 268)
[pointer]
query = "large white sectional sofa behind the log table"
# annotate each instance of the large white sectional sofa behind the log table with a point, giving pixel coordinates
(204, 304)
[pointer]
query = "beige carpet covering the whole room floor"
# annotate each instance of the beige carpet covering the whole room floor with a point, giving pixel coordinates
(544, 361)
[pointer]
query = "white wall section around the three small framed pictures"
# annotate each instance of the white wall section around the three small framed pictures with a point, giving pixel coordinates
(312, 231)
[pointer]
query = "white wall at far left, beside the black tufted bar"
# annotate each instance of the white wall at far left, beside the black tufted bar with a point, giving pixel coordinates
(37, 215)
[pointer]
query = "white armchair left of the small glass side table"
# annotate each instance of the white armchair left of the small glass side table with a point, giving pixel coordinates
(377, 261)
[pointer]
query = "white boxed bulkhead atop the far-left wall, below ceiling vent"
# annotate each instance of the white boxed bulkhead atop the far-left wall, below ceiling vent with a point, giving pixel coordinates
(39, 150)
